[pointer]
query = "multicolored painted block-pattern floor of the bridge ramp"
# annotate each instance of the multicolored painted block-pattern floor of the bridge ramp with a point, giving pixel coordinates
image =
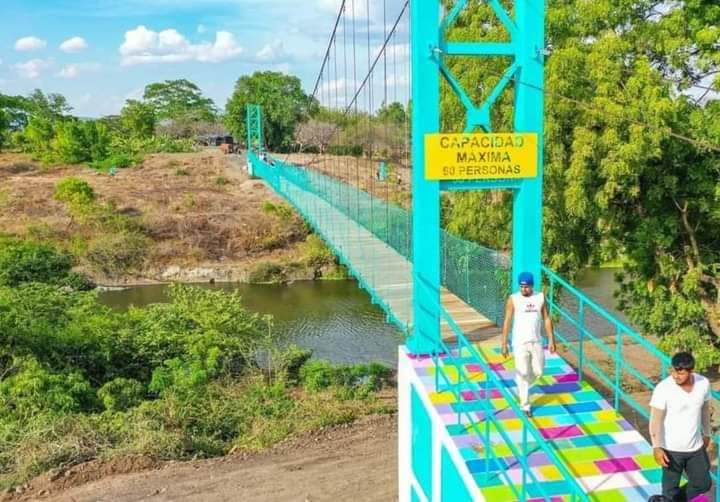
(608, 457)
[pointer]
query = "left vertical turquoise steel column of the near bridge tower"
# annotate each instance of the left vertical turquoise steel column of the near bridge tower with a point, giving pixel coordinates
(425, 40)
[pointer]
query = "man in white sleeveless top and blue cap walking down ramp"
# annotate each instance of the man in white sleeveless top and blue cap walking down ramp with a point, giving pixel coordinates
(529, 311)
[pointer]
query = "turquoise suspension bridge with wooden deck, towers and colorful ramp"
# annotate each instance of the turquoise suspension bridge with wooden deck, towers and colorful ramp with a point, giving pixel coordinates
(369, 191)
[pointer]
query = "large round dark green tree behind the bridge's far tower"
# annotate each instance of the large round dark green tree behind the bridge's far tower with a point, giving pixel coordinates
(283, 101)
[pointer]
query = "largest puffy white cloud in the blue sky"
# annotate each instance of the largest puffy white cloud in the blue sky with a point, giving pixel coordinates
(143, 46)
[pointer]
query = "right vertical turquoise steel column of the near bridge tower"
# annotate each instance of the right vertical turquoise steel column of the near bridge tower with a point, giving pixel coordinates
(529, 107)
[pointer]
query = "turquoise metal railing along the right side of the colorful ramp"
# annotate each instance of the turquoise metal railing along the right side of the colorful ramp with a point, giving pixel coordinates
(574, 309)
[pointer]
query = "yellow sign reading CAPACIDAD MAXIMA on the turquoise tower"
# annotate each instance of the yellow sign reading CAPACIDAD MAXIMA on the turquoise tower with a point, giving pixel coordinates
(480, 156)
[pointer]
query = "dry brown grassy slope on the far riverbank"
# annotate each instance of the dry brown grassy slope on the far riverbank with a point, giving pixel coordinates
(190, 218)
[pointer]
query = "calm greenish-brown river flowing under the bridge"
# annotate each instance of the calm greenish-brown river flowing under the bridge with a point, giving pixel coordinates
(333, 318)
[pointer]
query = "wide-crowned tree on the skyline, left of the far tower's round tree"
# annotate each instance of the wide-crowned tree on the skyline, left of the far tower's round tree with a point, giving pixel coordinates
(179, 100)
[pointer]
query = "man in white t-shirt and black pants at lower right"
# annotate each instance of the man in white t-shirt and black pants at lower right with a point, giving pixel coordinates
(680, 429)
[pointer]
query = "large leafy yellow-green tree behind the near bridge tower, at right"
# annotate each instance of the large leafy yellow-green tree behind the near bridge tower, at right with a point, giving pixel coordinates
(620, 183)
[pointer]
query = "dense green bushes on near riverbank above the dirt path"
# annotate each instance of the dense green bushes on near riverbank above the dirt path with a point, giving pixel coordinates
(197, 377)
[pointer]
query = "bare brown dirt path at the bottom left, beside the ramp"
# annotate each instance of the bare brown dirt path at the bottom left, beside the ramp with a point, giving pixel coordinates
(352, 462)
